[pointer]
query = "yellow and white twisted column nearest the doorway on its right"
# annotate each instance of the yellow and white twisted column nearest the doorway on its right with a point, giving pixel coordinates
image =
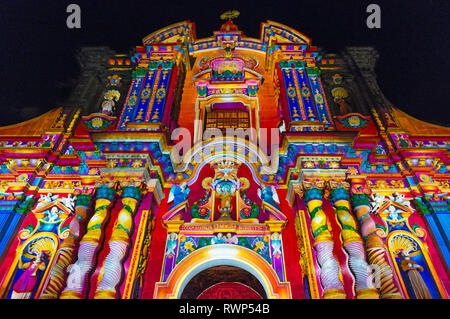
(323, 244)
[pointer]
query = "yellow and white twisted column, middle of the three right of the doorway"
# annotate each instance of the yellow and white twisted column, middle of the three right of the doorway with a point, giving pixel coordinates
(352, 242)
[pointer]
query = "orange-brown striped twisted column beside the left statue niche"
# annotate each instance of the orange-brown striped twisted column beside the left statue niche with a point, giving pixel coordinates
(66, 254)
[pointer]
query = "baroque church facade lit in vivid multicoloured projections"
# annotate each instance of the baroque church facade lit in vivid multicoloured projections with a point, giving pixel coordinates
(225, 167)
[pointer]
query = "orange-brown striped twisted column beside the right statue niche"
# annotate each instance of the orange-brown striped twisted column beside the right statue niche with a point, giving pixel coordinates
(376, 253)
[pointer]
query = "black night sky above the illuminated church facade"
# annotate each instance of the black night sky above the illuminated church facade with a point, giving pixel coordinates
(38, 67)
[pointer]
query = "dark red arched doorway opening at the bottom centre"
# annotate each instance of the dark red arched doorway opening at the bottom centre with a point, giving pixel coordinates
(224, 282)
